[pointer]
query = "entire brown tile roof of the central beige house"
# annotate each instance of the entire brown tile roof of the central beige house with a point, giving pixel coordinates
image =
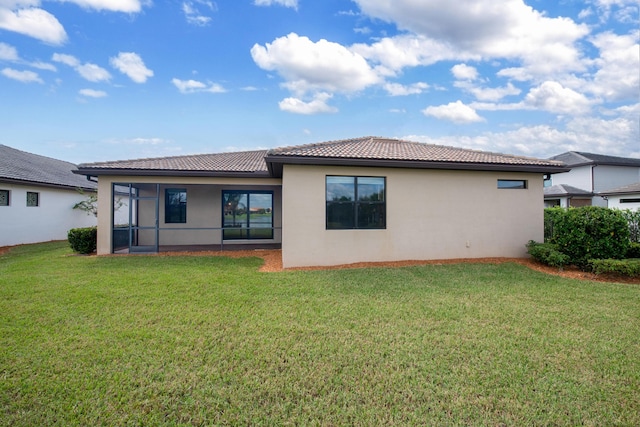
(366, 151)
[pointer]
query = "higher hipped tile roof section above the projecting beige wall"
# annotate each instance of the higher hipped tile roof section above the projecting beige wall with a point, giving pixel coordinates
(377, 148)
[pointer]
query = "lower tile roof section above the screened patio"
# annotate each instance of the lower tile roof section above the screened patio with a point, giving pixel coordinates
(234, 162)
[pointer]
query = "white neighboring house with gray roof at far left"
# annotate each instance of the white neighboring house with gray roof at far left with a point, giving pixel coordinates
(37, 195)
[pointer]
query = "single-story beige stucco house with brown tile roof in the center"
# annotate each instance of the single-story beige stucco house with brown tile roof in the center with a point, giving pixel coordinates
(357, 200)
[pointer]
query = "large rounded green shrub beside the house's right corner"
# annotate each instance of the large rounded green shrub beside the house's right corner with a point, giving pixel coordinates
(591, 232)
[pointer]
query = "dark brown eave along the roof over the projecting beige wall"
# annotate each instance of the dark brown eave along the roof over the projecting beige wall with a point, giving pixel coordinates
(275, 164)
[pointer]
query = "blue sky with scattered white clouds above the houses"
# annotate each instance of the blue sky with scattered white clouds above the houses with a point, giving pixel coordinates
(94, 80)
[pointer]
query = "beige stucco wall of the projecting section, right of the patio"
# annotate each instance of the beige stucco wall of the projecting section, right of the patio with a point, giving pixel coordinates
(431, 214)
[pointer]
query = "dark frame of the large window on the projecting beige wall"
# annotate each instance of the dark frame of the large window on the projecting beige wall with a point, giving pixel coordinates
(356, 204)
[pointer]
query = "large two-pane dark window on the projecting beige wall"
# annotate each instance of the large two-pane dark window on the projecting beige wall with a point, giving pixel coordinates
(355, 202)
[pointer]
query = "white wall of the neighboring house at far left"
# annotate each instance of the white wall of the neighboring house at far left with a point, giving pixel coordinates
(51, 220)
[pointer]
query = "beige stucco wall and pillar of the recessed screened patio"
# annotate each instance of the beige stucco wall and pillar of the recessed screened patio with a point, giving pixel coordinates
(204, 209)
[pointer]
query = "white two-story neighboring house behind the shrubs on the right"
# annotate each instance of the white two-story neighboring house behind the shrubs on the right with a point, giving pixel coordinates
(594, 173)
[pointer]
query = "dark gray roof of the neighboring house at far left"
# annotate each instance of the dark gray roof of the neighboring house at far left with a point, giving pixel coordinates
(22, 167)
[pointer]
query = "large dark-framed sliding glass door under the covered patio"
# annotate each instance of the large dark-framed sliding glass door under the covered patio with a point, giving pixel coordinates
(247, 214)
